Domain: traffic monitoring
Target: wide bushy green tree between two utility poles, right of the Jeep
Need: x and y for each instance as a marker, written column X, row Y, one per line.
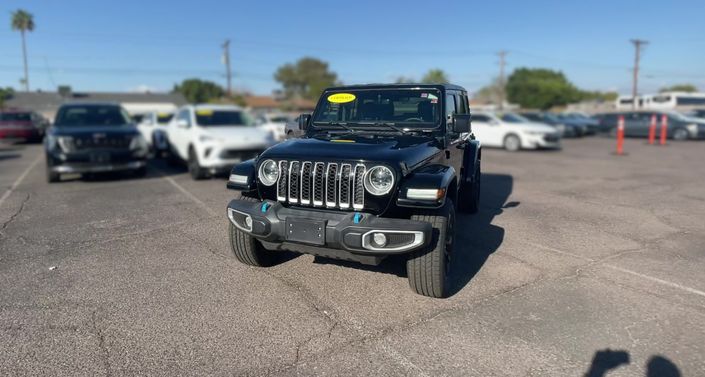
column 540, row 88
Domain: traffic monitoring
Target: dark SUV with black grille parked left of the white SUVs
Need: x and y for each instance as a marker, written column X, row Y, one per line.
column 93, row 138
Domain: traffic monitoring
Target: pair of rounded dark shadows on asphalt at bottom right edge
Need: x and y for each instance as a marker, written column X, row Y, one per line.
column 607, row 360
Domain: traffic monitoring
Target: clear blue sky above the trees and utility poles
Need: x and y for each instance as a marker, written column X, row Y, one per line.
column 124, row 45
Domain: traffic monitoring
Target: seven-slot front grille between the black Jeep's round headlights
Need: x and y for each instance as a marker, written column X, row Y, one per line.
column 319, row 184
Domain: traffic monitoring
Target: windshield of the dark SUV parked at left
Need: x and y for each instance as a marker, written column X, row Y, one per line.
column 91, row 115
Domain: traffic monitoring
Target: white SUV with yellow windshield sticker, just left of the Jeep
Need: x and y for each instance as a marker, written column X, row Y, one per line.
column 212, row 138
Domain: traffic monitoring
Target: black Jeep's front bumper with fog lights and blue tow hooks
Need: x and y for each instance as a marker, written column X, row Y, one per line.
column 347, row 232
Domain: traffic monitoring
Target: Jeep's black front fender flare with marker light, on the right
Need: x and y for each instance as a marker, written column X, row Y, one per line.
column 434, row 180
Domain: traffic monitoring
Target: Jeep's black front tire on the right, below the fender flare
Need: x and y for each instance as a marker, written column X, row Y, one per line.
column 428, row 268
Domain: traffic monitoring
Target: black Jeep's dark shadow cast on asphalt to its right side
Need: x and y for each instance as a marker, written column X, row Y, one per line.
column 476, row 237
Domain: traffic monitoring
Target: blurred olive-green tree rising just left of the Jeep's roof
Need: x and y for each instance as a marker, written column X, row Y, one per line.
column 307, row 78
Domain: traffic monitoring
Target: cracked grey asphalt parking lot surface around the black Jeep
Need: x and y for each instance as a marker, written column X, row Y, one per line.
column 573, row 253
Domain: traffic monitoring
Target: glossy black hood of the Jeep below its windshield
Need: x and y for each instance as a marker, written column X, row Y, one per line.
column 406, row 150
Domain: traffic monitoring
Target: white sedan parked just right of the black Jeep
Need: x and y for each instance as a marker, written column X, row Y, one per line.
column 520, row 133
